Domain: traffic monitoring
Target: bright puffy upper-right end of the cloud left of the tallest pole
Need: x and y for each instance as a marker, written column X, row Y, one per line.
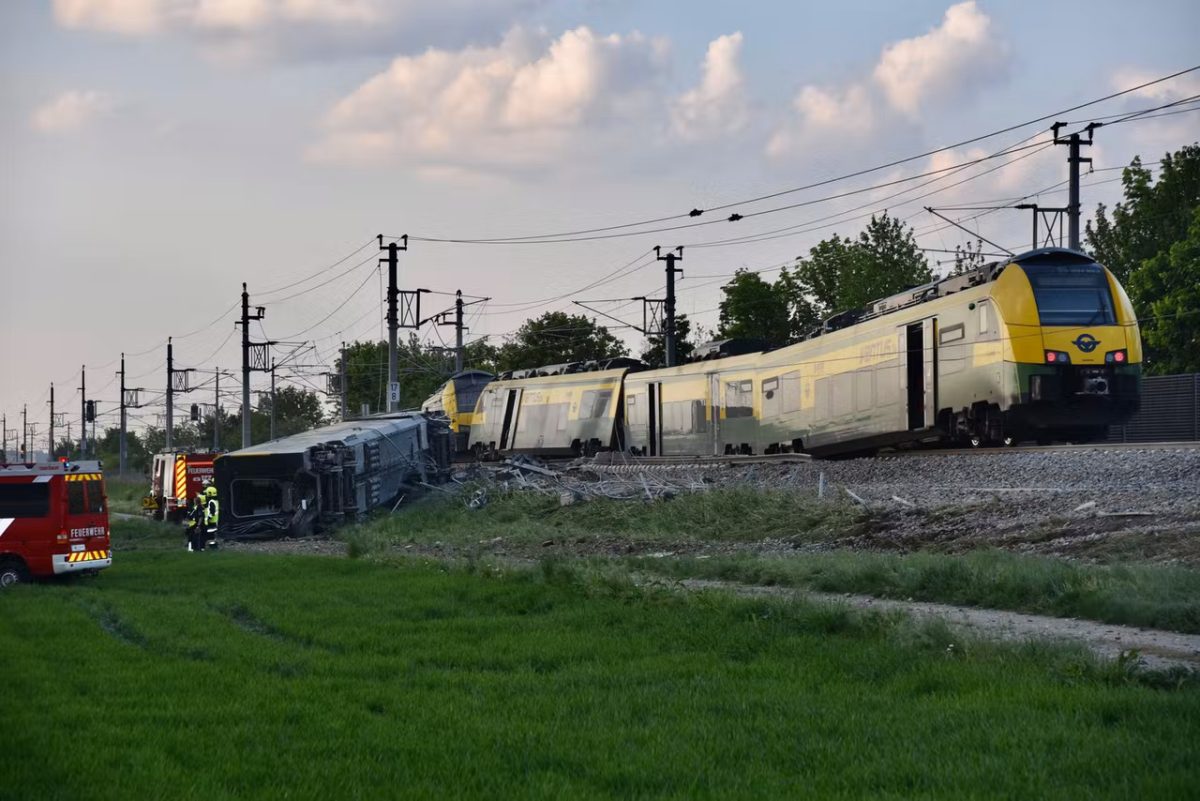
column 943, row 64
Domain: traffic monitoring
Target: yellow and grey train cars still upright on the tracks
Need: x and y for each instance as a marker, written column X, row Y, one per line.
column 1042, row 347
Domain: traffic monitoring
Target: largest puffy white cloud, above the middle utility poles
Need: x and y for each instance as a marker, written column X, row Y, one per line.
column 527, row 101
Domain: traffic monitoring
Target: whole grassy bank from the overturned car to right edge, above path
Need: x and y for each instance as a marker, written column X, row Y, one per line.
column 1131, row 594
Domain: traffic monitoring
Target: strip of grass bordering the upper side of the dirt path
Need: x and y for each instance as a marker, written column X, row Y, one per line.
column 1138, row 595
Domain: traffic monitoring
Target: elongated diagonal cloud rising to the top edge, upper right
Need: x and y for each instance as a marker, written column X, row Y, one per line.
column 937, row 69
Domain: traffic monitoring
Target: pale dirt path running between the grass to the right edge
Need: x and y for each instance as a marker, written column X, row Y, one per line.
column 1157, row 649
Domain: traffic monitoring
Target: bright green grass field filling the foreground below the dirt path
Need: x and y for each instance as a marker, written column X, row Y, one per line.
column 226, row 676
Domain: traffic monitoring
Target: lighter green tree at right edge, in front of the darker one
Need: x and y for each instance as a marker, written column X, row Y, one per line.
column 1169, row 288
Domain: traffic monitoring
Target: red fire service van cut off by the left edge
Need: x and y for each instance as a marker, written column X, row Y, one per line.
column 53, row 521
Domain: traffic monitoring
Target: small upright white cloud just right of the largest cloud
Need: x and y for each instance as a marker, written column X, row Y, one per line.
column 718, row 105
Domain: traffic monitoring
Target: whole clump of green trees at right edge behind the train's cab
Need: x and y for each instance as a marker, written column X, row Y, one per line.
column 1150, row 245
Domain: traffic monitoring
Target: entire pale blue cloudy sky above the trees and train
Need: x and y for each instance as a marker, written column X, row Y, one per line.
column 157, row 154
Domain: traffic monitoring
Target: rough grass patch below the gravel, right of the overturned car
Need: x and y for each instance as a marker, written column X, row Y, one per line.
column 719, row 516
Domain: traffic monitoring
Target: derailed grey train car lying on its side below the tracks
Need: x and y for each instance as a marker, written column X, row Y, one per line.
column 310, row 483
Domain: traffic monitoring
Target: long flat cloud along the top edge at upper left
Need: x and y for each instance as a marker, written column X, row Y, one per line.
column 297, row 29
